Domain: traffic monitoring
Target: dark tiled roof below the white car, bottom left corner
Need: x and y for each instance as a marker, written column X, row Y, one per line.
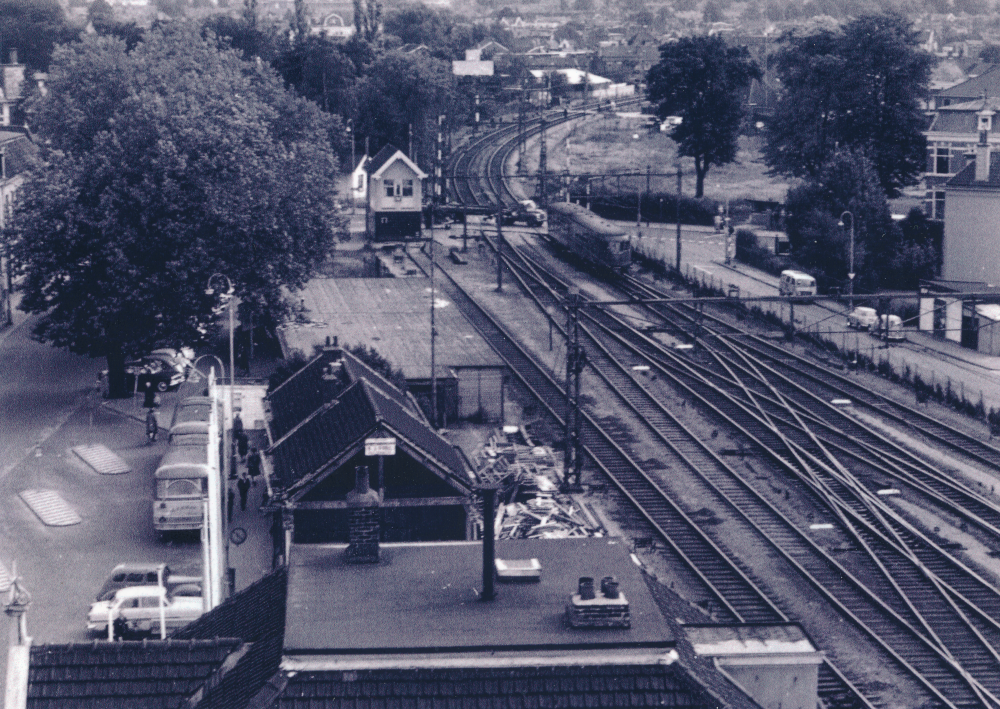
column 153, row 674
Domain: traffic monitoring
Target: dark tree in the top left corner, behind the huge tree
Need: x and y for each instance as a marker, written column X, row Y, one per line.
column 33, row 28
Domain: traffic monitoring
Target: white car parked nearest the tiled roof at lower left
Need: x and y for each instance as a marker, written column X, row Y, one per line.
column 143, row 608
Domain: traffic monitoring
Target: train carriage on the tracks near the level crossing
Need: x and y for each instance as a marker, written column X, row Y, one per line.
column 592, row 238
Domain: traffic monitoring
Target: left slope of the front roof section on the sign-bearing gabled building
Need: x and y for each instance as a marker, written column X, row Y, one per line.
column 328, row 432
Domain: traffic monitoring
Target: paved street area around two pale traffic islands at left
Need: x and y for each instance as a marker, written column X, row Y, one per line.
column 47, row 397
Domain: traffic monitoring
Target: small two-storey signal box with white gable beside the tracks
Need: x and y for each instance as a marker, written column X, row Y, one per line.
column 395, row 196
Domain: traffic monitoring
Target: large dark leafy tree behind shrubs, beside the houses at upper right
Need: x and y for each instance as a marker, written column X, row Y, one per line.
column 857, row 88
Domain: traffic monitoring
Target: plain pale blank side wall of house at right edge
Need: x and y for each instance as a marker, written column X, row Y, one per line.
column 972, row 236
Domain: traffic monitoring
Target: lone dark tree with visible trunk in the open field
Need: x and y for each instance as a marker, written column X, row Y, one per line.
column 700, row 79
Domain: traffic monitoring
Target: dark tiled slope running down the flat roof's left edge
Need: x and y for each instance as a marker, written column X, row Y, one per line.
column 257, row 615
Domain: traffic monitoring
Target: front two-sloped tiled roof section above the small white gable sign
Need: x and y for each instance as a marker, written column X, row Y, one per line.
column 339, row 427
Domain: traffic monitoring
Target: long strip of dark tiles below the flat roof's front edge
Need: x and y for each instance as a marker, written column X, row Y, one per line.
column 493, row 688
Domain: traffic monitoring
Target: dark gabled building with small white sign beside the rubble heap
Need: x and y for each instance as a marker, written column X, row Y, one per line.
column 323, row 420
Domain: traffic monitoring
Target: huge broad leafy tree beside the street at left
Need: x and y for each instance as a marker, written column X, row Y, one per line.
column 162, row 166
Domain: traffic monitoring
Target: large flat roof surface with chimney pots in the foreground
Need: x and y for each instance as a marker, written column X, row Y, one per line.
column 422, row 597
